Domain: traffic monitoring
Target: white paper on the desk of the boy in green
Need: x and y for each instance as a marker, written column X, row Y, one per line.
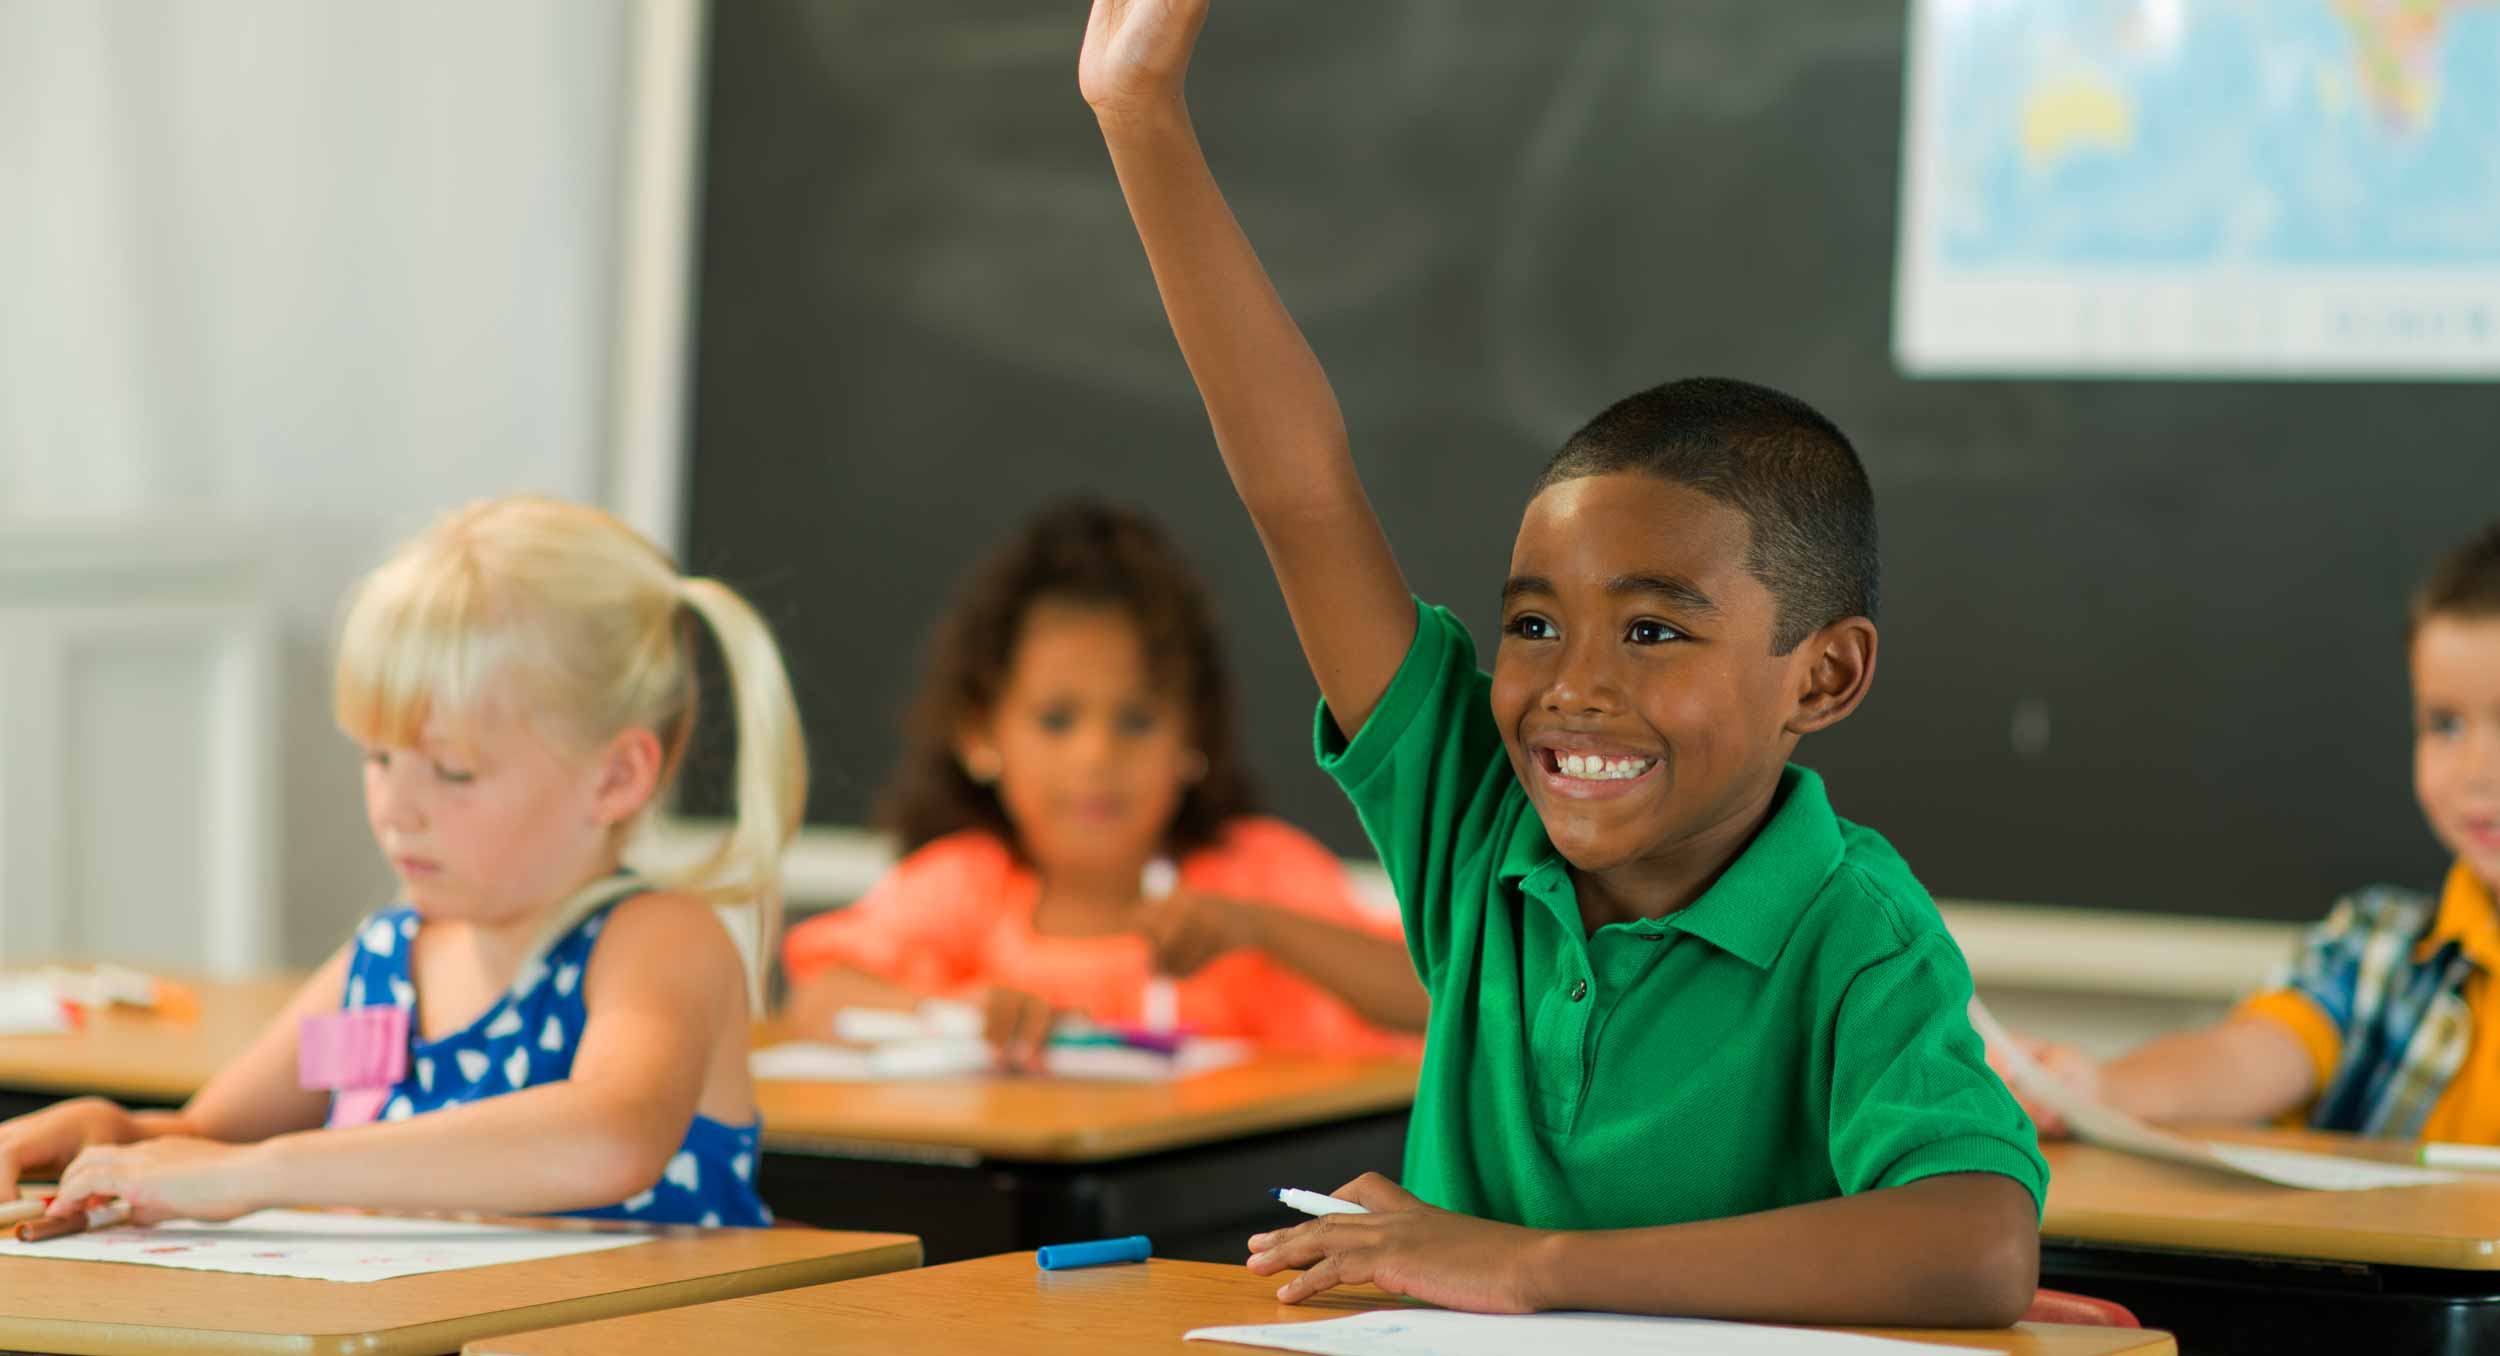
column 1436, row 1332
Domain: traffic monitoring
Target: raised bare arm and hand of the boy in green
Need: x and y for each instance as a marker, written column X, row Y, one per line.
column 1276, row 419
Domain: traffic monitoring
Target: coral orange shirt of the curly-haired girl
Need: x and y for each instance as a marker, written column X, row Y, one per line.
column 959, row 917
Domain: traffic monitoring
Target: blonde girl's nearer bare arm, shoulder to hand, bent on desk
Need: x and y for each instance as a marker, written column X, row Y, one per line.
column 666, row 999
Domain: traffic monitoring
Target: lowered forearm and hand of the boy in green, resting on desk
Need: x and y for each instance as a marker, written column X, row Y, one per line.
column 1951, row 1252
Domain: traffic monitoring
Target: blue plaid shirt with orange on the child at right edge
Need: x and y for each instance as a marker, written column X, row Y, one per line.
column 2394, row 974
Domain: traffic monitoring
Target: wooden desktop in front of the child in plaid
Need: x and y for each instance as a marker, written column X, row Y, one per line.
column 2106, row 1197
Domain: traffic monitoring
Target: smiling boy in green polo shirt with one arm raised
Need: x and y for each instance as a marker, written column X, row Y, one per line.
column 1696, row 1045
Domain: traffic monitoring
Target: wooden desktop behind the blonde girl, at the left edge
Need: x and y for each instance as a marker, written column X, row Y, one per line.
column 139, row 1057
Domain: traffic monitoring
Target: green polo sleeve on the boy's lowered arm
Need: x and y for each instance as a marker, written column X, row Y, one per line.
column 1911, row 1087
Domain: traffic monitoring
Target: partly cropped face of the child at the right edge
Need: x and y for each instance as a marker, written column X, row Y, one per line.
column 2456, row 737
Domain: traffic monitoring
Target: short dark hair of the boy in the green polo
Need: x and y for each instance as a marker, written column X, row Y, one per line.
column 1771, row 459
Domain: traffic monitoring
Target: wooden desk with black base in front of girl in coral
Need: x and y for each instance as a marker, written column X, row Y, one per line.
column 996, row 1162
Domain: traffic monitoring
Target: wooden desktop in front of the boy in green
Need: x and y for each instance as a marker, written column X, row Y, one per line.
column 1006, row 1305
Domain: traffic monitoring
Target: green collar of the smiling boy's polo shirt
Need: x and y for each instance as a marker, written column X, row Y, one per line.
column 1754, row 907
